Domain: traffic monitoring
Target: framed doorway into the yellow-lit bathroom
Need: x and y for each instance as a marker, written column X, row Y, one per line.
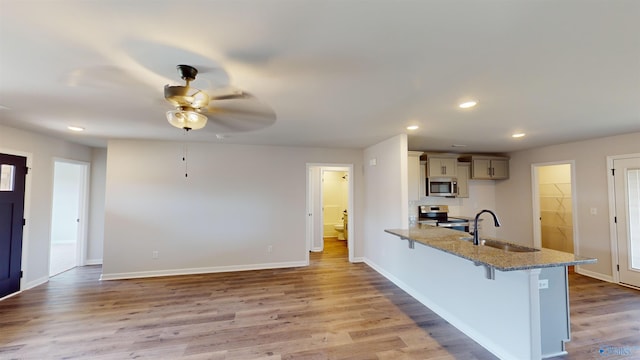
column 326, row 205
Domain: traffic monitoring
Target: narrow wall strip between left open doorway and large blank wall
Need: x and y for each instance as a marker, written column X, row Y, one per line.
column 98, row 179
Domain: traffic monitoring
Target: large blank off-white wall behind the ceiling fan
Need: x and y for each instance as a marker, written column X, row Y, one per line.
column 236, row 202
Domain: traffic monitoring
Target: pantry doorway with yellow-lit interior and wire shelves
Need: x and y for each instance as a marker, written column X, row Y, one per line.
column 554, row 206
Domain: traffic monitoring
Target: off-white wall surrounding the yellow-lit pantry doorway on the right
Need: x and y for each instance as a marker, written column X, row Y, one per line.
column 514, row 196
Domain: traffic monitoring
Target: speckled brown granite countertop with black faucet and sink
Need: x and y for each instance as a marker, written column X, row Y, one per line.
column 449, row 241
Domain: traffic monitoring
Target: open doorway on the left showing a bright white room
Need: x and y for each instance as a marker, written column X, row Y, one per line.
column 68, row 230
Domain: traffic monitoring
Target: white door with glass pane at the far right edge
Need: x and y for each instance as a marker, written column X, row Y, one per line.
column 627, row 213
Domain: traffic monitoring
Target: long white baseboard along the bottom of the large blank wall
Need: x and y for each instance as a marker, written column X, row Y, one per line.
column 207, row 270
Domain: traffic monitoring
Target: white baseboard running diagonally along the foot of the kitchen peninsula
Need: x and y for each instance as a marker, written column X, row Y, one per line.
column 446, row 315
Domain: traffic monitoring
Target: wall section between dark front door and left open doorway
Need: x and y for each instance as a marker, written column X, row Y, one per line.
column 40, row 150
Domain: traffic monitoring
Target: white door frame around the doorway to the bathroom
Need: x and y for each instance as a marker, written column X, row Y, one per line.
column 314, row 202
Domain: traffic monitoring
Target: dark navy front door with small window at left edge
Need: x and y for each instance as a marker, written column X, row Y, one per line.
column 13, row 170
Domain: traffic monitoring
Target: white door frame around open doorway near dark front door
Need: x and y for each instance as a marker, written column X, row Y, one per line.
column 83, row 208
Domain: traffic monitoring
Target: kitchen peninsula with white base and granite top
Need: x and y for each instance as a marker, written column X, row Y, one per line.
column 514, row 303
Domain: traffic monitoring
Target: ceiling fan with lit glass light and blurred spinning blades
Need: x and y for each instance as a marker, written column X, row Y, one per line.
column 232, row 111
